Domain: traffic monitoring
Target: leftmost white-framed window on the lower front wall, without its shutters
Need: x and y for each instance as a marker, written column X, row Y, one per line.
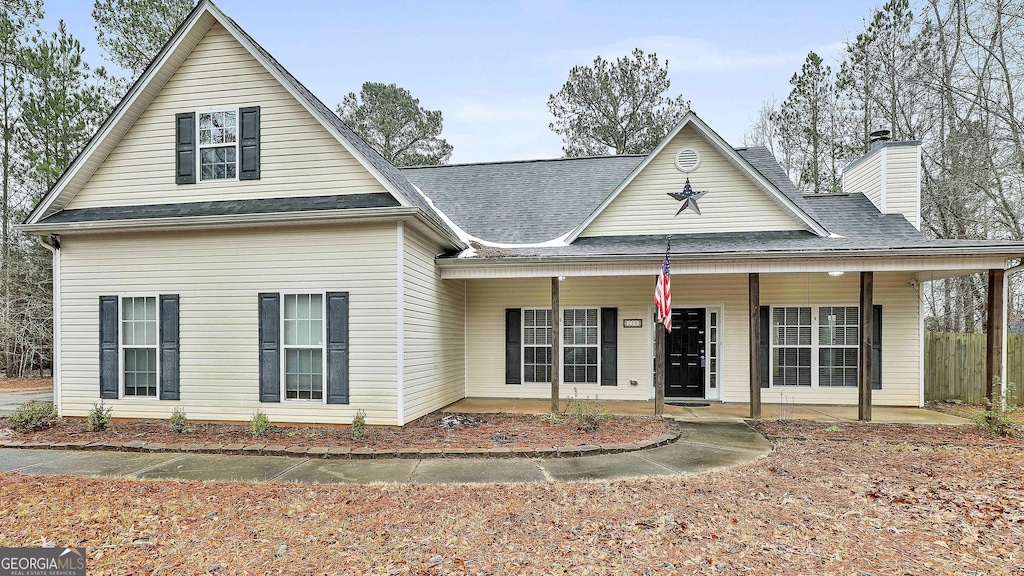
column 139, row 346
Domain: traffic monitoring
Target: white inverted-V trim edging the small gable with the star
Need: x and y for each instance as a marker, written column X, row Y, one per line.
column 730, row 154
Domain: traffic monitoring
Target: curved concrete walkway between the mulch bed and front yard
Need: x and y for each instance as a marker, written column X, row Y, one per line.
column 703, row 447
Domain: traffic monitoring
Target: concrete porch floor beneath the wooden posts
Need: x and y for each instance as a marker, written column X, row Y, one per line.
column 883, row 415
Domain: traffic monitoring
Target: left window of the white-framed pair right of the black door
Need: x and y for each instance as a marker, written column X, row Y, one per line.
column 792, row 347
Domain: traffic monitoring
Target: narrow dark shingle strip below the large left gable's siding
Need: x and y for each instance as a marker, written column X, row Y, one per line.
column 225, row 208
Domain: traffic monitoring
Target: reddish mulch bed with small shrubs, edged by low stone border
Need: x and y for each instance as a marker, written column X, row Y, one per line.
column 476, row 432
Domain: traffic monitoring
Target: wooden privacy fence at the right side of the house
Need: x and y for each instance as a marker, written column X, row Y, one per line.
column 955, row 367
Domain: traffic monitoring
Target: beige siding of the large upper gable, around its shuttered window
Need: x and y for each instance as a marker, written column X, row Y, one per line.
column 298, row 156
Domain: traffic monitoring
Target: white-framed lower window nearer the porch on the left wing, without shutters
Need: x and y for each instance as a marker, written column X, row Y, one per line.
column 304, row 347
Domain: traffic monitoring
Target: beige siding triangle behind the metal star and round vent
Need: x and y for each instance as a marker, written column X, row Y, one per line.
column 734, row 202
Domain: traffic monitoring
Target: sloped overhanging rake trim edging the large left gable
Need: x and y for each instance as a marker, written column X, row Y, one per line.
column 149, row 88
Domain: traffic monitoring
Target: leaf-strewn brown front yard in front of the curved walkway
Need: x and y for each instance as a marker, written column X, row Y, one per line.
column 864, row 500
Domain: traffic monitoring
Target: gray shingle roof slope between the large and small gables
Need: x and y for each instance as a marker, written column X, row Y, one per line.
column 525, row 202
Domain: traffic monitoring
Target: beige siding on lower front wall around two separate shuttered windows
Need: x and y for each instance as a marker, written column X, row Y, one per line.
column 219, row 276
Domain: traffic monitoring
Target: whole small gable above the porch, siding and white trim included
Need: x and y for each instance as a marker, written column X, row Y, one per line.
column 740, row 198
